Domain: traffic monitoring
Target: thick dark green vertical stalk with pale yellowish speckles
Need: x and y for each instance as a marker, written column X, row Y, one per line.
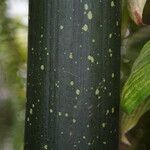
column 73, row 75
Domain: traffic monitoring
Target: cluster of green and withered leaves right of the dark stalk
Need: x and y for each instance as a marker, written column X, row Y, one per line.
column 135, row 74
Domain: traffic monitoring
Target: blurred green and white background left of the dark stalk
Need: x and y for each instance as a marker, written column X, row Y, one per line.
column 13, row 54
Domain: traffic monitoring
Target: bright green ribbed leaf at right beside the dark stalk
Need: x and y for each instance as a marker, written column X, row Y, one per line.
column 137, row 87
